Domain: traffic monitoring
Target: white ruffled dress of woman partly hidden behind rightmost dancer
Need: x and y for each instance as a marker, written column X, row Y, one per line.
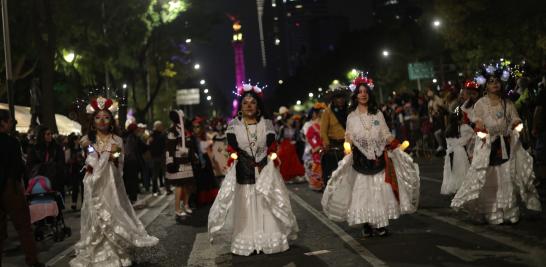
column 454, row 173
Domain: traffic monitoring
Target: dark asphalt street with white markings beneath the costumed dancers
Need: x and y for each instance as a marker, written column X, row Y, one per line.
column 434, row 236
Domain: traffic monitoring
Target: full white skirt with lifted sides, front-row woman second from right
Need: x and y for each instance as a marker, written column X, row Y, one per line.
column 357, row 198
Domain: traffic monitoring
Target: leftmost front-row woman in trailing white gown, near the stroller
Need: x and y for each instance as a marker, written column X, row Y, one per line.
column 109, row 225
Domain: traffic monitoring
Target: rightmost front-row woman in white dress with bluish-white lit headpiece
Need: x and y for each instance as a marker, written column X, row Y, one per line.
column 500, row 166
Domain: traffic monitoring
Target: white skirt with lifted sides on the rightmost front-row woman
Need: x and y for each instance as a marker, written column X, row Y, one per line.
column 492, row 190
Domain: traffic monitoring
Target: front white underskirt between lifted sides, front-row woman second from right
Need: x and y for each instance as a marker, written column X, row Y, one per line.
column 372, row 201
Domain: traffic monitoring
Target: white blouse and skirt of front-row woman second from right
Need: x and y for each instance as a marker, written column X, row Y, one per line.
column 358, row 198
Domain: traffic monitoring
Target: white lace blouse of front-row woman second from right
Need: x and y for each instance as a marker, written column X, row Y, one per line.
column 368, row 132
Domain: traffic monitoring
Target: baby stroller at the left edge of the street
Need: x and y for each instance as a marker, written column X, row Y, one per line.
column 46, row 207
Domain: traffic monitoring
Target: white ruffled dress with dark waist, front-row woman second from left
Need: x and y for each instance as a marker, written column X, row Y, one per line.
column 253, row 217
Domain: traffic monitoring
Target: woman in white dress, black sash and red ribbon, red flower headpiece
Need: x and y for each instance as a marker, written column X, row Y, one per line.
column 376, row 181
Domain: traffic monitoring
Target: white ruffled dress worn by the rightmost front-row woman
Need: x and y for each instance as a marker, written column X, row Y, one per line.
column 493, row 191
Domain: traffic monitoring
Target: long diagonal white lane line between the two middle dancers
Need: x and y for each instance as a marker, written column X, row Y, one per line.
column 361, row 250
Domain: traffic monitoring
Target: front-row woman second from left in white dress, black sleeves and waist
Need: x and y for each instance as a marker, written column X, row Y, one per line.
column 252, row 211
